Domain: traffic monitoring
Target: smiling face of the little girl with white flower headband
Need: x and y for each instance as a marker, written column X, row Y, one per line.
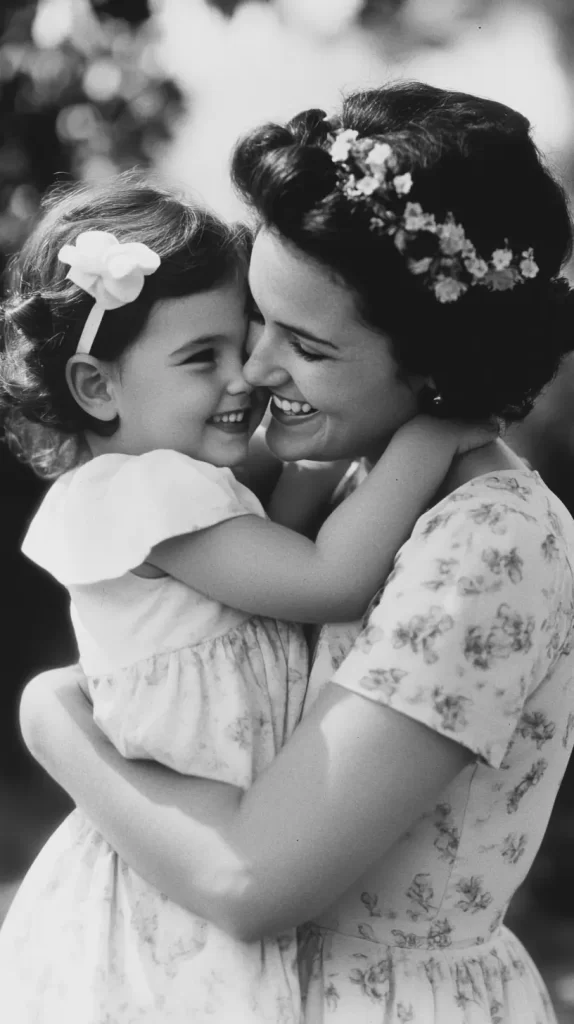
column 182, row 386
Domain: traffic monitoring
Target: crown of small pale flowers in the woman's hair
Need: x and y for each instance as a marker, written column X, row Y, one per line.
column 439, row 253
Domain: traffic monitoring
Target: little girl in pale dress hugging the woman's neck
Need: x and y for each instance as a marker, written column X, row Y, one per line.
column 139, row 404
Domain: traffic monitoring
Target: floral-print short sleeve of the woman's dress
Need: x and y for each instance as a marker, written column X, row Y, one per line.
column 458, row 638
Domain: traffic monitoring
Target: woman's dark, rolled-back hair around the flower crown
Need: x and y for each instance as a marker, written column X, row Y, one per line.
column 490, row 354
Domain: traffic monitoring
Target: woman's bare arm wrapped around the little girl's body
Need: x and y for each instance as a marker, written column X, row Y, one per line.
column 349, row 783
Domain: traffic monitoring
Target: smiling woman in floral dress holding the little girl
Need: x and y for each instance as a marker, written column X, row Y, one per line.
column 409, row 258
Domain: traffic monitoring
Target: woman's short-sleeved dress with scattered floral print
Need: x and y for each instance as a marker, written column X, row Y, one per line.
column 472, row 636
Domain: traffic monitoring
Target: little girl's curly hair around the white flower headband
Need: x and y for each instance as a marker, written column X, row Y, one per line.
column 45, row 315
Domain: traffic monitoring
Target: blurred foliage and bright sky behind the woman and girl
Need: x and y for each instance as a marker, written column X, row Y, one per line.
column 90, row 88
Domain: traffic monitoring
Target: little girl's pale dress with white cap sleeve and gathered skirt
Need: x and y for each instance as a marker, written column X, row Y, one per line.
column 176, row 678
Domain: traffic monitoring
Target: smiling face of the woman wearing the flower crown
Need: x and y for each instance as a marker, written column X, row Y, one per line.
column 337, row 391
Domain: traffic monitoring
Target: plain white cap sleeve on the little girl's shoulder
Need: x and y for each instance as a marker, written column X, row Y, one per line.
column 104, row 519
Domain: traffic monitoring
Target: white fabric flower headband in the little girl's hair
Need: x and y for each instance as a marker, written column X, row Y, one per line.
column 110, row 271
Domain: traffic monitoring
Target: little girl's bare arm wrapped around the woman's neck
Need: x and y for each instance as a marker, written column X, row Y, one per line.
column 260, row 568
